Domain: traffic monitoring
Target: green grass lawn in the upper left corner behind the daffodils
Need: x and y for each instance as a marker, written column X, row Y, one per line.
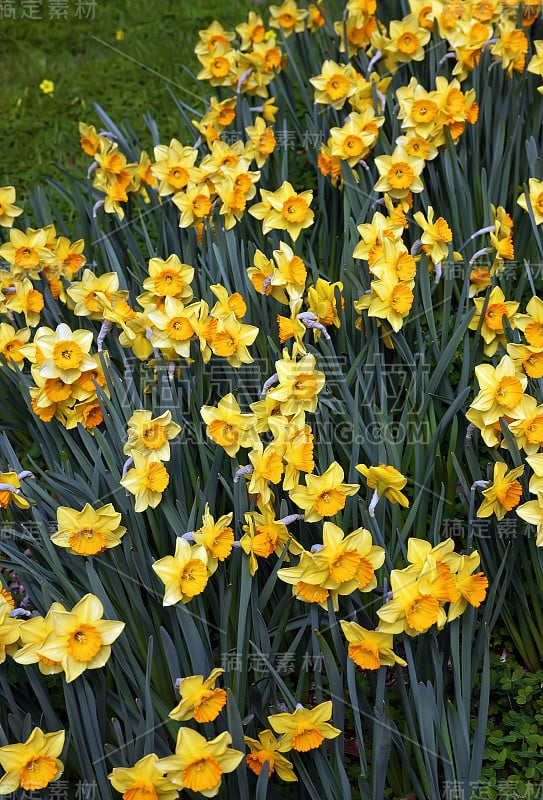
column 87, row 64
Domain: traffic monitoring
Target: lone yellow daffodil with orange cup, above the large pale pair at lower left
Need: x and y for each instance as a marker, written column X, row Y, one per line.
column 88, row 532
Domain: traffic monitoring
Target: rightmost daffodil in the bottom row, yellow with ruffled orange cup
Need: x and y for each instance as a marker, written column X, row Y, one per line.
column 305, row 728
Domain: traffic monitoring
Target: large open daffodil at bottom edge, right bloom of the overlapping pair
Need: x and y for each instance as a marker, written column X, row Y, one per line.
column 198, row 765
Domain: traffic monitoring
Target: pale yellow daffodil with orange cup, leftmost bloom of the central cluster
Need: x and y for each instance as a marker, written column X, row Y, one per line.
column 228, row 427
